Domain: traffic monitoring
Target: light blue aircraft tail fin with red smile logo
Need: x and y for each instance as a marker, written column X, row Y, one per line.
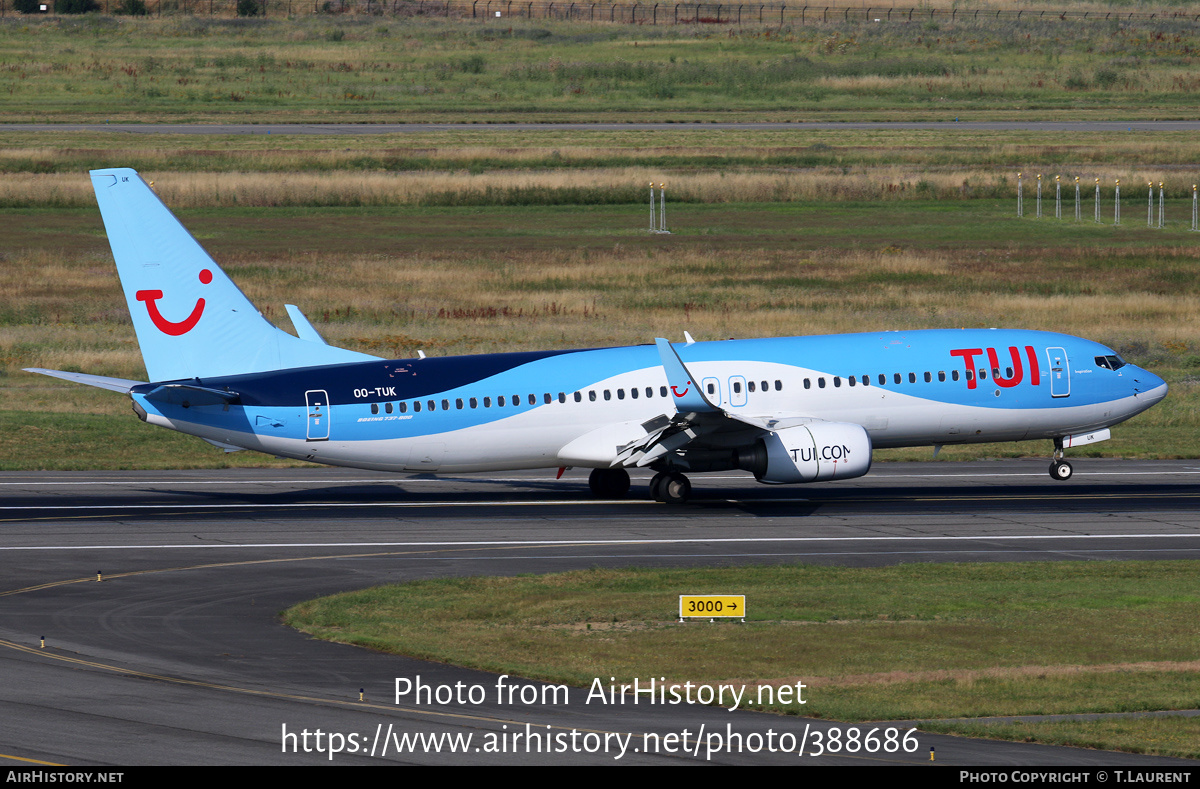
column 190, row 318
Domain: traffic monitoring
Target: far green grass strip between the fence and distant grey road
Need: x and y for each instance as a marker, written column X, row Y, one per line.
column 197, row 69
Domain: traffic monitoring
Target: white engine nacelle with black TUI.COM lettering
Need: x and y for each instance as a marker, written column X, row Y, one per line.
column 813, row 453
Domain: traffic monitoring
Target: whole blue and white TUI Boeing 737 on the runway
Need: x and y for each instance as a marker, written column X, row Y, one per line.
column 789, row 409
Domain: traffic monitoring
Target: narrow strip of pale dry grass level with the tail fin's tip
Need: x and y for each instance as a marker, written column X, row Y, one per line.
column 597, row 186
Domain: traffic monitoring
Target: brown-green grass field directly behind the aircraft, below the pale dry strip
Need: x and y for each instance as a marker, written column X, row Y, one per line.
column 394, row 281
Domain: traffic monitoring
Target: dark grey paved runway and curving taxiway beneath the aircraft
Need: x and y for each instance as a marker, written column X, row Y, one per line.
column 178, row 658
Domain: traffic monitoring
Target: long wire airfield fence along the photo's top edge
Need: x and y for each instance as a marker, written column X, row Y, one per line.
column 641, row 14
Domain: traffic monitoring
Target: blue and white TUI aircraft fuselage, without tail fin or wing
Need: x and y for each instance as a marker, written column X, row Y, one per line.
column 520, row 411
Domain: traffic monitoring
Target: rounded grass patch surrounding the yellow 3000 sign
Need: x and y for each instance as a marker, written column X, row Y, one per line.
column 872, row 645
